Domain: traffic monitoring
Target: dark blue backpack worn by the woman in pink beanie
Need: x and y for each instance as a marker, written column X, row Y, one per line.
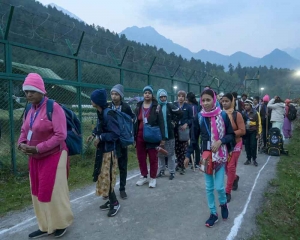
column 74, row 137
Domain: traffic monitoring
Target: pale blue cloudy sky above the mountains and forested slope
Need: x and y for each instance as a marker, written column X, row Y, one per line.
column 256, row 27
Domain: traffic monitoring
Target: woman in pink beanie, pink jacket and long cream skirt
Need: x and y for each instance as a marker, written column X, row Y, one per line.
column 44, row 143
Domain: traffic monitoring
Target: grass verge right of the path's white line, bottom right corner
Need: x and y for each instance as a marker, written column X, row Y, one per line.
column 280, row 215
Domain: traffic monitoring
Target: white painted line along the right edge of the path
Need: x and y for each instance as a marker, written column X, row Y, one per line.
column 239, row 219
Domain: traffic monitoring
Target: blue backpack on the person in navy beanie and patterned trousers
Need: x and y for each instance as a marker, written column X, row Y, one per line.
column 126, row 127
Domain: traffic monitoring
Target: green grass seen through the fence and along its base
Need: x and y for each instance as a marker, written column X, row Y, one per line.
column 15, row 190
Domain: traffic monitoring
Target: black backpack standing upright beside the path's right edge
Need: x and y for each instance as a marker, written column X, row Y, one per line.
column 274, row 142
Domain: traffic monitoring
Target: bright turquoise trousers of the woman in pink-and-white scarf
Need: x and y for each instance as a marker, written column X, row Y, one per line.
column 217, row 183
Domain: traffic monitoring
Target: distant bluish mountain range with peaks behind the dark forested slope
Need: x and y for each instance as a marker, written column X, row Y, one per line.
column 277, row 58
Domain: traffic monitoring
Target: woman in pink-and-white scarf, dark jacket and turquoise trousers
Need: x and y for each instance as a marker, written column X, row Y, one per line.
column 217, row 137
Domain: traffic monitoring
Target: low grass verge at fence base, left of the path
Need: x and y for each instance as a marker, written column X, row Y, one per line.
column 15, row 190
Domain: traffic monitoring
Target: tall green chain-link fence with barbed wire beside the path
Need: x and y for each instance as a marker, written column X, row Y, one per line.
column 73, row 63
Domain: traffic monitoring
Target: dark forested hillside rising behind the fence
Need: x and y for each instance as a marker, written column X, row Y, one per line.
column 47, row 28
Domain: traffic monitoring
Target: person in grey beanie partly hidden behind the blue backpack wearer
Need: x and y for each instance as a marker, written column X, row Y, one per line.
column 117, row 104
